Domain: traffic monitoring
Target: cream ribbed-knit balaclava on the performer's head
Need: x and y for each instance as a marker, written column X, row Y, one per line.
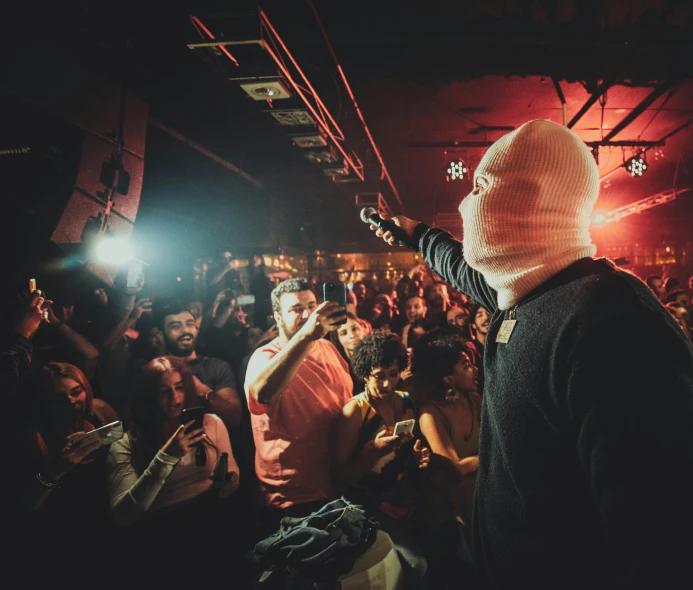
column 528, row 216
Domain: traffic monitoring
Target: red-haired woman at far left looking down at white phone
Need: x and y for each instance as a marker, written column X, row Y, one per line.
column 53, row 477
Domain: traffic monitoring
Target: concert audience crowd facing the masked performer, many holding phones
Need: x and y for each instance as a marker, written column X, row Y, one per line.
column 302, row 411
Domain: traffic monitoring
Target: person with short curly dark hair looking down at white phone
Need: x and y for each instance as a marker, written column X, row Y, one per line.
column 378, row 467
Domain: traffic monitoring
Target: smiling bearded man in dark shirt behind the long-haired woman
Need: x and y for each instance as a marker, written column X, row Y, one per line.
column 217, row 382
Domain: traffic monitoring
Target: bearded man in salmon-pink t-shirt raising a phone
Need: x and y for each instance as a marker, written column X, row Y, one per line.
column 296, row 386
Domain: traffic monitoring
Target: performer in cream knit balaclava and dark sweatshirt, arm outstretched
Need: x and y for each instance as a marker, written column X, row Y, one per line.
column 586, row 450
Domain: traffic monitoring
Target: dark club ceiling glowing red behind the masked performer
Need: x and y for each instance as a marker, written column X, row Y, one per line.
column 435, row 81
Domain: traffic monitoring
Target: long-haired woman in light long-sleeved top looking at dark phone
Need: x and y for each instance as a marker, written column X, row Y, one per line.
column 161, row 463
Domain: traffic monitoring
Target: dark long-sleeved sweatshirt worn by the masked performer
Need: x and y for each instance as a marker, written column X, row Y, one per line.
column 586, row 449
